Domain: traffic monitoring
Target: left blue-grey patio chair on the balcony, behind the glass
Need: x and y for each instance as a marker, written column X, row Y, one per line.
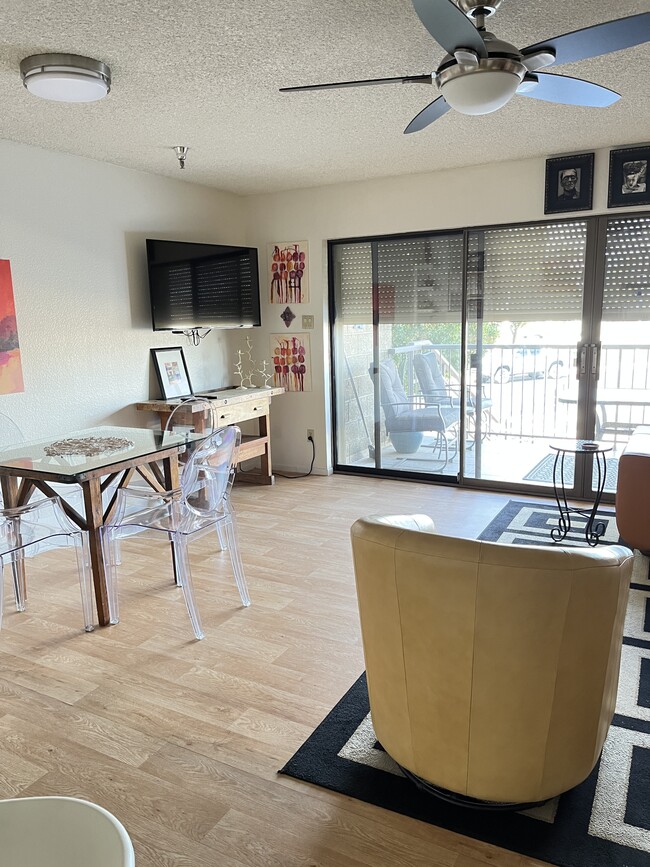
column 405, row 417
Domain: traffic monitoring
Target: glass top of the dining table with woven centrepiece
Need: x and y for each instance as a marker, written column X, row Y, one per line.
column 67, row 455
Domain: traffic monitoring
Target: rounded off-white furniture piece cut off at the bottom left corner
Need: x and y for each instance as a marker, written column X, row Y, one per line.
column 61, row 832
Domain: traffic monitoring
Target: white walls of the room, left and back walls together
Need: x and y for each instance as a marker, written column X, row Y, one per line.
column 74, row 232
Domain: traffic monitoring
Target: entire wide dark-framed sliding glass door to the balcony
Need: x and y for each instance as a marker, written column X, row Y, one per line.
column 468, row 355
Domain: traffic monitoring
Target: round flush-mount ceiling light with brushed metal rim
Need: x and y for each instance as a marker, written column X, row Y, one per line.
column 66, row 77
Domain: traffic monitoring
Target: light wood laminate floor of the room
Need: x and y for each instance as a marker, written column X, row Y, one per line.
column 182, row 739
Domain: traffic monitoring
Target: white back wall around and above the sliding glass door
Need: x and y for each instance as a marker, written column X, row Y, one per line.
column 508, row 192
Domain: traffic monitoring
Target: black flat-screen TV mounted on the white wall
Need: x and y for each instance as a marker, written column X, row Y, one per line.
column 202, row 285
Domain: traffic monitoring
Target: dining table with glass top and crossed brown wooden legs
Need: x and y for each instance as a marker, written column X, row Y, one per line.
column 85, row 458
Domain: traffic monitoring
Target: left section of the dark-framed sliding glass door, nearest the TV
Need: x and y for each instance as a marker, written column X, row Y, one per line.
column 397, row 326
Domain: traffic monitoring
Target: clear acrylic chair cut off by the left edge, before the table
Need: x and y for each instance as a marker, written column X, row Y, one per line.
column 29, row 529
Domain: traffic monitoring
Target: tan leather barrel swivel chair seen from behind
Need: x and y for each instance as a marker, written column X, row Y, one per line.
column 492, row 669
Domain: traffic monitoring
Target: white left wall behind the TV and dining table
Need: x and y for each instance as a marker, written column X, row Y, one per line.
column 74, row 232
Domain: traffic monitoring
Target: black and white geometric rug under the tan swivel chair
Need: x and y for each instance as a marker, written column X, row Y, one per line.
column 604, row 822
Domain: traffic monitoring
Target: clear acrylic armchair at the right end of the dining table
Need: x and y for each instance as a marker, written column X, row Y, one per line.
column 201, row 503
